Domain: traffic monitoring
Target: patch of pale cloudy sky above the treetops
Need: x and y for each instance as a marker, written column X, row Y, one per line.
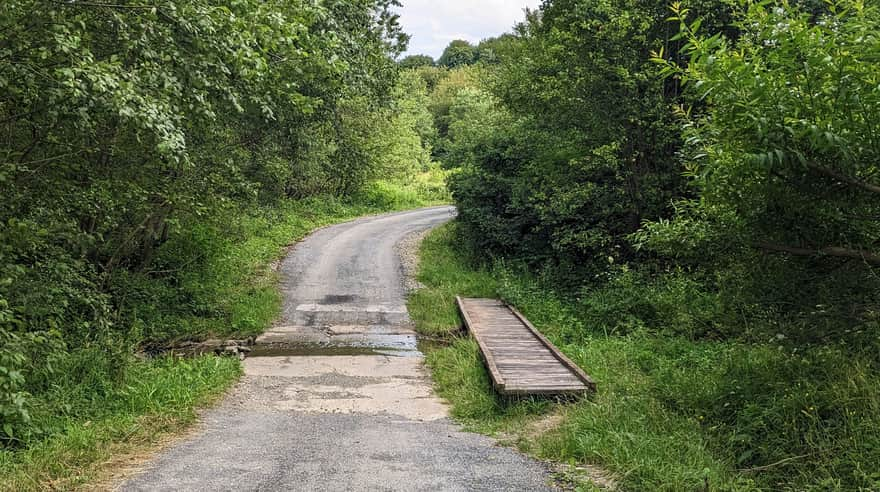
column 434, row 23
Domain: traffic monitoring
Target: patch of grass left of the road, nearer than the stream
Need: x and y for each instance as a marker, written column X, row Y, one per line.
column 153, row 399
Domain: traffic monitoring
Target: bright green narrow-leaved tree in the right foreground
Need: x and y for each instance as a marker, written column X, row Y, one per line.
column 781, row 150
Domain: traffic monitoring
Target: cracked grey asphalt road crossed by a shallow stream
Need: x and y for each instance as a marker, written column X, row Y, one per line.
column 337, row 397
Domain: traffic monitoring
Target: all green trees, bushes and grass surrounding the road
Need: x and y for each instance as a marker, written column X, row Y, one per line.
column 684, row 197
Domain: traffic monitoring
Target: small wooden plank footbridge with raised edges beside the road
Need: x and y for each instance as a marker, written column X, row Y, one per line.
column 520, row 360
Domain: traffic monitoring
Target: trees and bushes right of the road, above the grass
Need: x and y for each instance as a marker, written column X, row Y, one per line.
column 761, row 196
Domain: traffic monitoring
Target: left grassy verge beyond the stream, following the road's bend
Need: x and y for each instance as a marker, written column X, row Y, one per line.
column 214, row 281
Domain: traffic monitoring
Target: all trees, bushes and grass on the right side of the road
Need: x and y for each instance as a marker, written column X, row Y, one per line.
column 688, row 209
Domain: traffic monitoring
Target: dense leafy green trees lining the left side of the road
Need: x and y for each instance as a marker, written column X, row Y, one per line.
column 125, row 127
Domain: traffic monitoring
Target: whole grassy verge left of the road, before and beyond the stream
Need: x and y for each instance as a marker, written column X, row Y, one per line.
column 99, row 405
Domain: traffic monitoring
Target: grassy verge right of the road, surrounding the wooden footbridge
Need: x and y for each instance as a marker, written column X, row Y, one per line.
column 671, row 413
